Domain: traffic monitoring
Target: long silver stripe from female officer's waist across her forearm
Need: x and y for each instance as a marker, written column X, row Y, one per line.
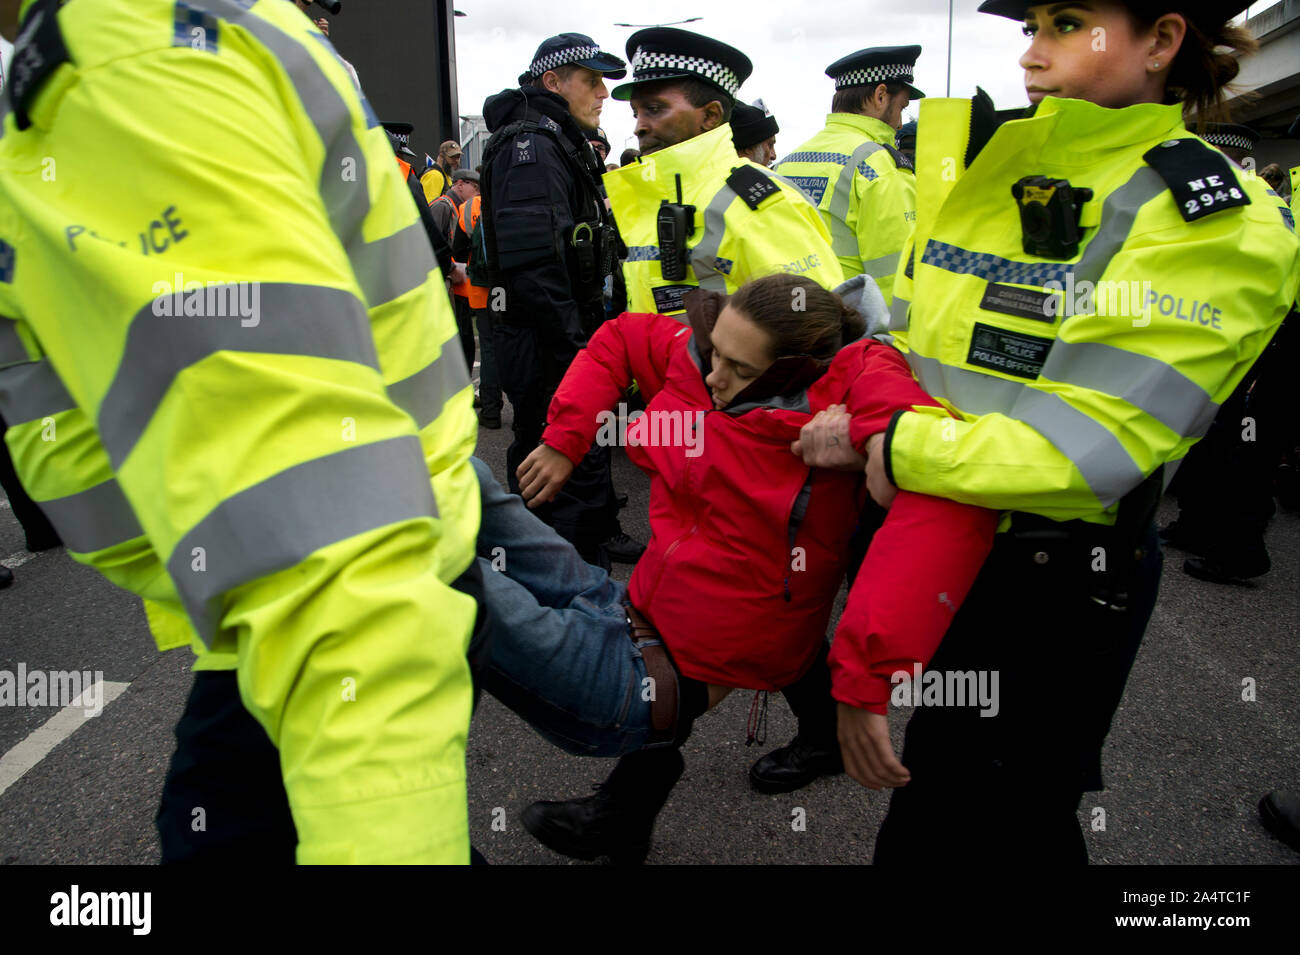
column 1097, row 453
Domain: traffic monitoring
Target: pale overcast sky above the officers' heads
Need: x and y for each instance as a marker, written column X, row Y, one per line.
column 791, row 45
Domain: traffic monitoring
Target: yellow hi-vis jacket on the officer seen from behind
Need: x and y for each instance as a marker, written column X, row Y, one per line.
column 868, row 201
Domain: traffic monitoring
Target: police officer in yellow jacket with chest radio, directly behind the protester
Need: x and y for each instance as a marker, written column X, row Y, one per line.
column 690, row 211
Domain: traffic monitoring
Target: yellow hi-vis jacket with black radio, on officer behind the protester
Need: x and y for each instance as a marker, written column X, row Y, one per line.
column 736, row 238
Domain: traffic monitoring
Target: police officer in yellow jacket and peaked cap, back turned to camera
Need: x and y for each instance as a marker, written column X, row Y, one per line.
column 861, row 184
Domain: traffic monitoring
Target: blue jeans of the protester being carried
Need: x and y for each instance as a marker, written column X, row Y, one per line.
column 558, row 653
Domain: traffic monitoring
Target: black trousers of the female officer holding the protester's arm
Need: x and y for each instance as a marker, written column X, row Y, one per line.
column 1007, row 788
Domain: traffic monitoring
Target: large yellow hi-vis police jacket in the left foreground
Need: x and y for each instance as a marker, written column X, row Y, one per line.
column 235, row 385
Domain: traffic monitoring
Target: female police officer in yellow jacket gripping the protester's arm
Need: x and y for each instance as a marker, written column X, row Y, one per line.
column 1085, row 286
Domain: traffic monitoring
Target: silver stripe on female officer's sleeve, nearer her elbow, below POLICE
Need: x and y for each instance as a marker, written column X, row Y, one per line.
column 1160, row 390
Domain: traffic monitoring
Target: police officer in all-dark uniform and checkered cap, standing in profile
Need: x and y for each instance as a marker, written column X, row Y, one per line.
column 549, row 248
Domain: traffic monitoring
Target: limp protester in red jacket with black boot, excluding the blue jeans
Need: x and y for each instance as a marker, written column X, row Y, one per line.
column 749, row 545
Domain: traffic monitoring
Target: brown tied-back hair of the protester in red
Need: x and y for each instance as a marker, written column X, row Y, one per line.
column 816, row 323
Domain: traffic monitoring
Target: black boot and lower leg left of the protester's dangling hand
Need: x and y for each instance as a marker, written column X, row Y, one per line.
column 816, row 750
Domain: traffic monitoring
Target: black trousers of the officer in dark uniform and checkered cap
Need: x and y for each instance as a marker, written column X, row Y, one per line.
column 531, row 370
